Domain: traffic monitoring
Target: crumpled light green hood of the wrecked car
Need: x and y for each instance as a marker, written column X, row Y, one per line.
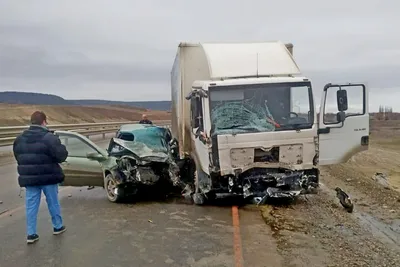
column 143, row 152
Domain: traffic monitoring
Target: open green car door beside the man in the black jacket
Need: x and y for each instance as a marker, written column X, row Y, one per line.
column 80, row 170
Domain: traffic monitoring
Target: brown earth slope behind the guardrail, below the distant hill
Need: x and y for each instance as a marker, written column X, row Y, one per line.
column 13, row 115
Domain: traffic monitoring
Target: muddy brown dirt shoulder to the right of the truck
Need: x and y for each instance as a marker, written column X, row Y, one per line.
column 317, row 231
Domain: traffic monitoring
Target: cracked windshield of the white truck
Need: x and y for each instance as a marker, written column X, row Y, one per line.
column 261, row 107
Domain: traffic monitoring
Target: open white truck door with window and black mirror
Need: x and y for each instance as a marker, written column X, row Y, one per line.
column 343, row 122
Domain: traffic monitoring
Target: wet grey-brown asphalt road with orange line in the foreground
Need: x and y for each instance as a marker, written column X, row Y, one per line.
column 150, row 233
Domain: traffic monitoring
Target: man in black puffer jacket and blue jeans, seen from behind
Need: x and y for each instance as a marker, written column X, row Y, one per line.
column 38, row 152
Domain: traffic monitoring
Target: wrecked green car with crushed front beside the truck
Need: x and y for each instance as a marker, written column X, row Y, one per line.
column 139, row 156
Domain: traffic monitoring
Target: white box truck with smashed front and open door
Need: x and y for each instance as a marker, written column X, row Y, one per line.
column 246, row 123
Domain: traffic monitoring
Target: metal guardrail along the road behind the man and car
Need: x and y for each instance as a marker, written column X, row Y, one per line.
column 9, row 133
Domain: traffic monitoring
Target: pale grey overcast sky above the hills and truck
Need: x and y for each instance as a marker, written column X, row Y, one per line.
column 124, row 49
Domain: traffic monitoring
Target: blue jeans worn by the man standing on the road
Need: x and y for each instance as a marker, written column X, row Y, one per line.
column 32, row 203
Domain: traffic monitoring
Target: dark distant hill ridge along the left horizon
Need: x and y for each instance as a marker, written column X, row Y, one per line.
column 48, row 99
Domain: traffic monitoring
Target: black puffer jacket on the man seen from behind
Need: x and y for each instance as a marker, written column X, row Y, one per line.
column 38, row 153
